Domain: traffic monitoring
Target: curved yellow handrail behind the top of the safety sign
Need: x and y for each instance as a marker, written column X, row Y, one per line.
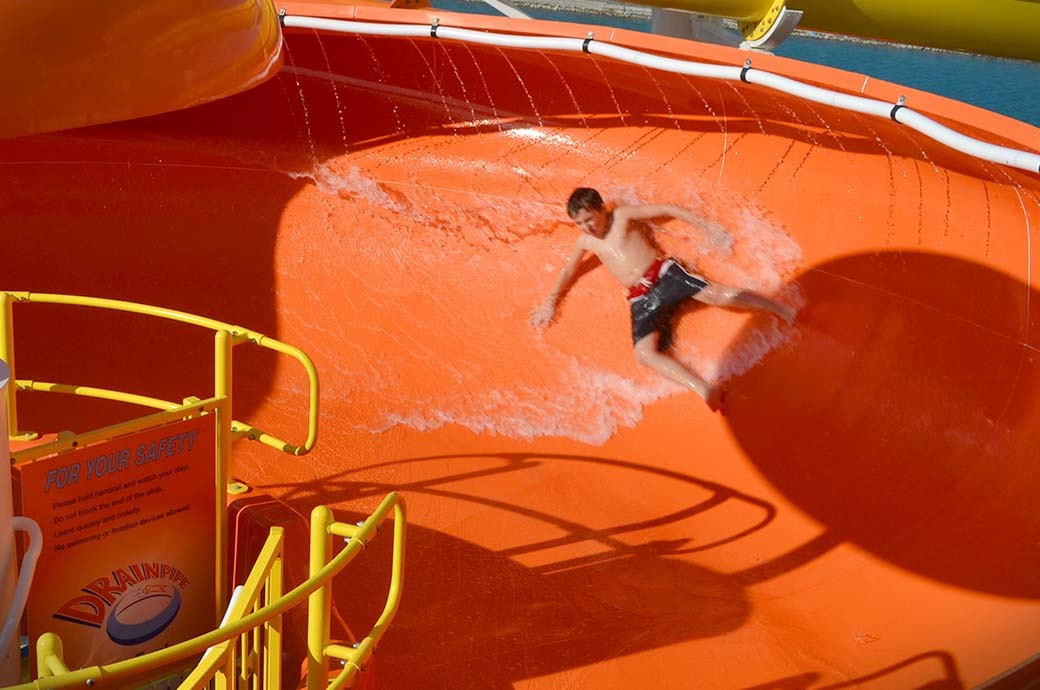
column 232, row 336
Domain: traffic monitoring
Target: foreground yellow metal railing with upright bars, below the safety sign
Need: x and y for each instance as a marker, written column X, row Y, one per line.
column 254, row 667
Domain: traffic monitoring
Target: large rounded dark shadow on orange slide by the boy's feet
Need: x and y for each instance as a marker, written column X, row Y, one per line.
column 903, row 417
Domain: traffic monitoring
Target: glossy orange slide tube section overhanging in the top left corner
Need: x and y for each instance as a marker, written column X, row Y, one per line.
column 74, row 65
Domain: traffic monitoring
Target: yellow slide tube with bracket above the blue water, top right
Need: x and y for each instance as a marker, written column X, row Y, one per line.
column 1006, row 29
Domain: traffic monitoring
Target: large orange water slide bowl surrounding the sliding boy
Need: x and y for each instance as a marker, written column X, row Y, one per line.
column 863, row 518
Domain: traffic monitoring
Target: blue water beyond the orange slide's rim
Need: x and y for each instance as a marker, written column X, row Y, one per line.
column 1011, row 88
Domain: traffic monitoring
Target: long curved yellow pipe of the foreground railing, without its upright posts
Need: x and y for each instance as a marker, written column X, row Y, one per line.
column 98, row 677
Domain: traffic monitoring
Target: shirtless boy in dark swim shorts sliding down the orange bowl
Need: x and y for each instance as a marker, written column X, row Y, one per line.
column 656, row 285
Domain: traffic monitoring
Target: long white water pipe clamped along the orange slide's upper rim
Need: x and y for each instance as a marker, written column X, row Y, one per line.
column 992, row 152
